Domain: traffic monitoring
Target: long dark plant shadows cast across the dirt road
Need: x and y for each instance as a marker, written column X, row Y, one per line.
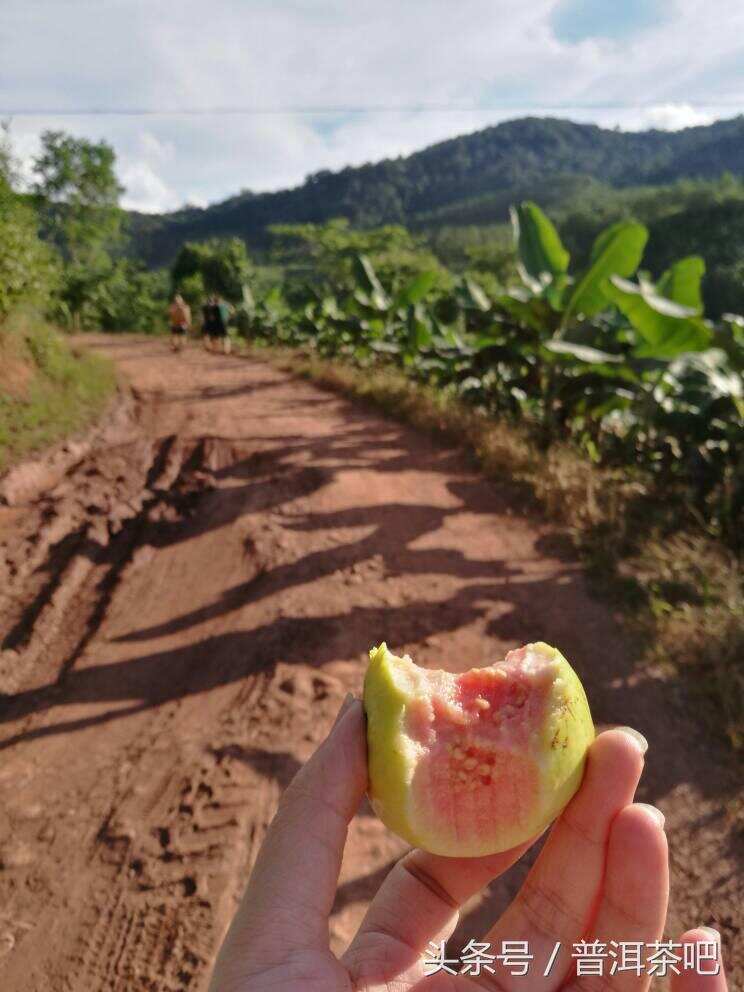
column 552, row 605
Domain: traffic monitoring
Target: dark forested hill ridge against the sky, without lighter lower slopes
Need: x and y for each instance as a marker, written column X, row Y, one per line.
column 508, row 162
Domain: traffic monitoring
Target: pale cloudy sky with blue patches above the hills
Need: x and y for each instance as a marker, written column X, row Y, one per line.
column 203, row 100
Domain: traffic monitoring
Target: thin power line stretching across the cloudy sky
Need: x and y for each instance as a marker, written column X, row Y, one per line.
column 422, row 108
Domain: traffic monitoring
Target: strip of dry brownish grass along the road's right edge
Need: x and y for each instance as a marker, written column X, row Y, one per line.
column 680, row 590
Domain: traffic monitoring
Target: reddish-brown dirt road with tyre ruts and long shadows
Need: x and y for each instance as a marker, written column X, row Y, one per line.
column 186, row 598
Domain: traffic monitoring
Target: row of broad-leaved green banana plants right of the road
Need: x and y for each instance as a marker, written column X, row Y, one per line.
column 628, row 367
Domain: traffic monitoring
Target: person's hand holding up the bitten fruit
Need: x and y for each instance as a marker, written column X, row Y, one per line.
column 602, row 874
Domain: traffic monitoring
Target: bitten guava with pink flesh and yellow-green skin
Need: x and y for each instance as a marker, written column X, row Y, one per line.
column 475, row 763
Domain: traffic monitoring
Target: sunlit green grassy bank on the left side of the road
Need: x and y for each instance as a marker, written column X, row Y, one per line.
column 48, row 389
